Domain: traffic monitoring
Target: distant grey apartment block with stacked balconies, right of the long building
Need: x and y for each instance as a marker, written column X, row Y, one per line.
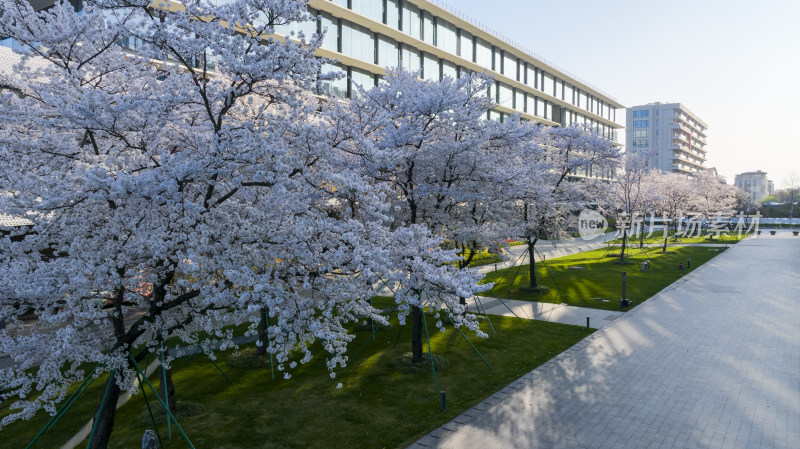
column 673, row 135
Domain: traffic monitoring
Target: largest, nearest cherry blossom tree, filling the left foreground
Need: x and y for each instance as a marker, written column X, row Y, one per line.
column 186, row 186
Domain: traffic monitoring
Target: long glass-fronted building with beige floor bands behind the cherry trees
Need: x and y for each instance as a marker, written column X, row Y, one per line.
column 366, row 36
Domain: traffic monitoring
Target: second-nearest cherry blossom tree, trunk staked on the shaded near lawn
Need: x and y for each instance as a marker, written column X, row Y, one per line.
column 427, row 144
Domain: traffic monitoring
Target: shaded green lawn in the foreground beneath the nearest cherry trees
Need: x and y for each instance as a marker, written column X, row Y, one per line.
column 379, row 405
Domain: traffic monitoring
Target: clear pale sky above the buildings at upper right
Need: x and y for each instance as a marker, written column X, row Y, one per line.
column 735, row 64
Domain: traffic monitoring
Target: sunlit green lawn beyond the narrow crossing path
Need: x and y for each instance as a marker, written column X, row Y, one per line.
column 585, row 276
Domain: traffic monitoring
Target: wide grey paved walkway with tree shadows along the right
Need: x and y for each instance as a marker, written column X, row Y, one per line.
column 713, row 361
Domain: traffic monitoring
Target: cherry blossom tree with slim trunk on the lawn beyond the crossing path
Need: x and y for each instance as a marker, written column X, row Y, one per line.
column 553, row 188
